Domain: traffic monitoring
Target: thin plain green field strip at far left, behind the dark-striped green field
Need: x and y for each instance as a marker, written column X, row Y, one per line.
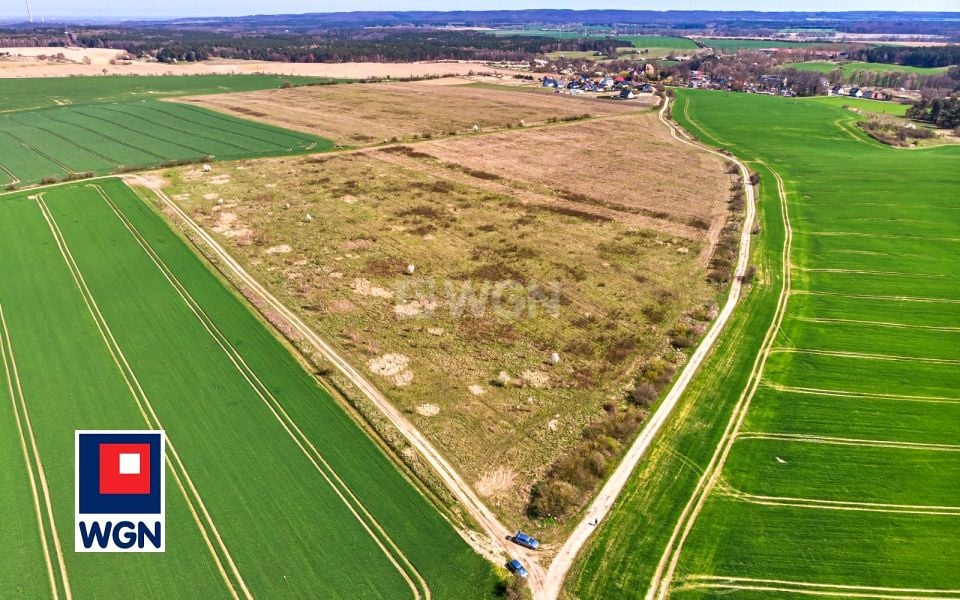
column 27, row 94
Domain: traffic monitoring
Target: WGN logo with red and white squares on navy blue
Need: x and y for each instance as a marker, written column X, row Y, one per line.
column 119, row 491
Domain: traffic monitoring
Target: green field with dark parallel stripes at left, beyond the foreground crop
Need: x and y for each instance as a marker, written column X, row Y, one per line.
column 109, row 137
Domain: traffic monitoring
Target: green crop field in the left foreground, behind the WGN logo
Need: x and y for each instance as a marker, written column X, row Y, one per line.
column 108, row 320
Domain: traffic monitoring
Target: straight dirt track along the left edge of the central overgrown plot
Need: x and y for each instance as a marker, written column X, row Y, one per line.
column 496, row 531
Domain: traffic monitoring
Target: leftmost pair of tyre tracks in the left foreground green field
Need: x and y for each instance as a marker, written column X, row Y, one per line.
column 43, row 510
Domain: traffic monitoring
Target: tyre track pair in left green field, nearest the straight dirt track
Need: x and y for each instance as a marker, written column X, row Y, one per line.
column 367, row 521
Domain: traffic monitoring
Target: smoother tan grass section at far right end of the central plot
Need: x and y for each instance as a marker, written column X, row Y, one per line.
column 627, row 163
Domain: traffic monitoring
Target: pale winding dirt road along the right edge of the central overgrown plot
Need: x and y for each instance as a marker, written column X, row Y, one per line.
column 607, row 496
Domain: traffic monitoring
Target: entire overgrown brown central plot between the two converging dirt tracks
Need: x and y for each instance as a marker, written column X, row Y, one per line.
column 610, row 275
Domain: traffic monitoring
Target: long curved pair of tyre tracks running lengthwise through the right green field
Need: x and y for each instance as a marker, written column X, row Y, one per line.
column 663, row 576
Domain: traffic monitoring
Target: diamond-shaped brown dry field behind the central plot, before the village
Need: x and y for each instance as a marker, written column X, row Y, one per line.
column 363, row 114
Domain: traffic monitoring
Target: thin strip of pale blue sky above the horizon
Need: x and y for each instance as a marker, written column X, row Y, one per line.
column 172, row 8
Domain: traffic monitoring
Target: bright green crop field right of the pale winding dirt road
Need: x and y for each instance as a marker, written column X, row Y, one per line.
column 845, row 469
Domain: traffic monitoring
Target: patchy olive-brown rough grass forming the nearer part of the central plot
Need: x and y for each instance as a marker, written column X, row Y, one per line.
column 495, row 398
